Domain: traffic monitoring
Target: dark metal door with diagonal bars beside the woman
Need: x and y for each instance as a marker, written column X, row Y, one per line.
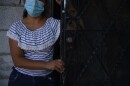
column 95, row 42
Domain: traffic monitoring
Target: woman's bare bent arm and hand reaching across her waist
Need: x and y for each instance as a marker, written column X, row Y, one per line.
column 20, row 61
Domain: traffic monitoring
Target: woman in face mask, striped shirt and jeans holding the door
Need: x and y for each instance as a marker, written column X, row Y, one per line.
column 31, row 43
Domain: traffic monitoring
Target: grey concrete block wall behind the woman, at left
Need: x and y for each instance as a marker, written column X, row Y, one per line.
column 10, row 11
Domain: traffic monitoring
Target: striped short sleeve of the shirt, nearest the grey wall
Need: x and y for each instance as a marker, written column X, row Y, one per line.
column 12, row 32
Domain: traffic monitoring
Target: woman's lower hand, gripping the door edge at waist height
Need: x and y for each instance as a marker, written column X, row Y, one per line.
column 57, row 65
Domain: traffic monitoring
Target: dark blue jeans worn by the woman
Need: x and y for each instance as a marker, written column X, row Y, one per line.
column 18, row 79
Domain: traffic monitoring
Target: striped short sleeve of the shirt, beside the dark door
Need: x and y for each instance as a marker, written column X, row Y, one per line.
column 55, row 23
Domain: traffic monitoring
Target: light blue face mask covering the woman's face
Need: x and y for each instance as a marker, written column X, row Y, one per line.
column 34, row 7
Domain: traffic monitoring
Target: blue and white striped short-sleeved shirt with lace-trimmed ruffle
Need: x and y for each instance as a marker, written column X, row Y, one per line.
column 37, row 44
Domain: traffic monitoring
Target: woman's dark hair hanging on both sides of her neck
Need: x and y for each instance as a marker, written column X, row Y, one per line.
column 45, row 13
